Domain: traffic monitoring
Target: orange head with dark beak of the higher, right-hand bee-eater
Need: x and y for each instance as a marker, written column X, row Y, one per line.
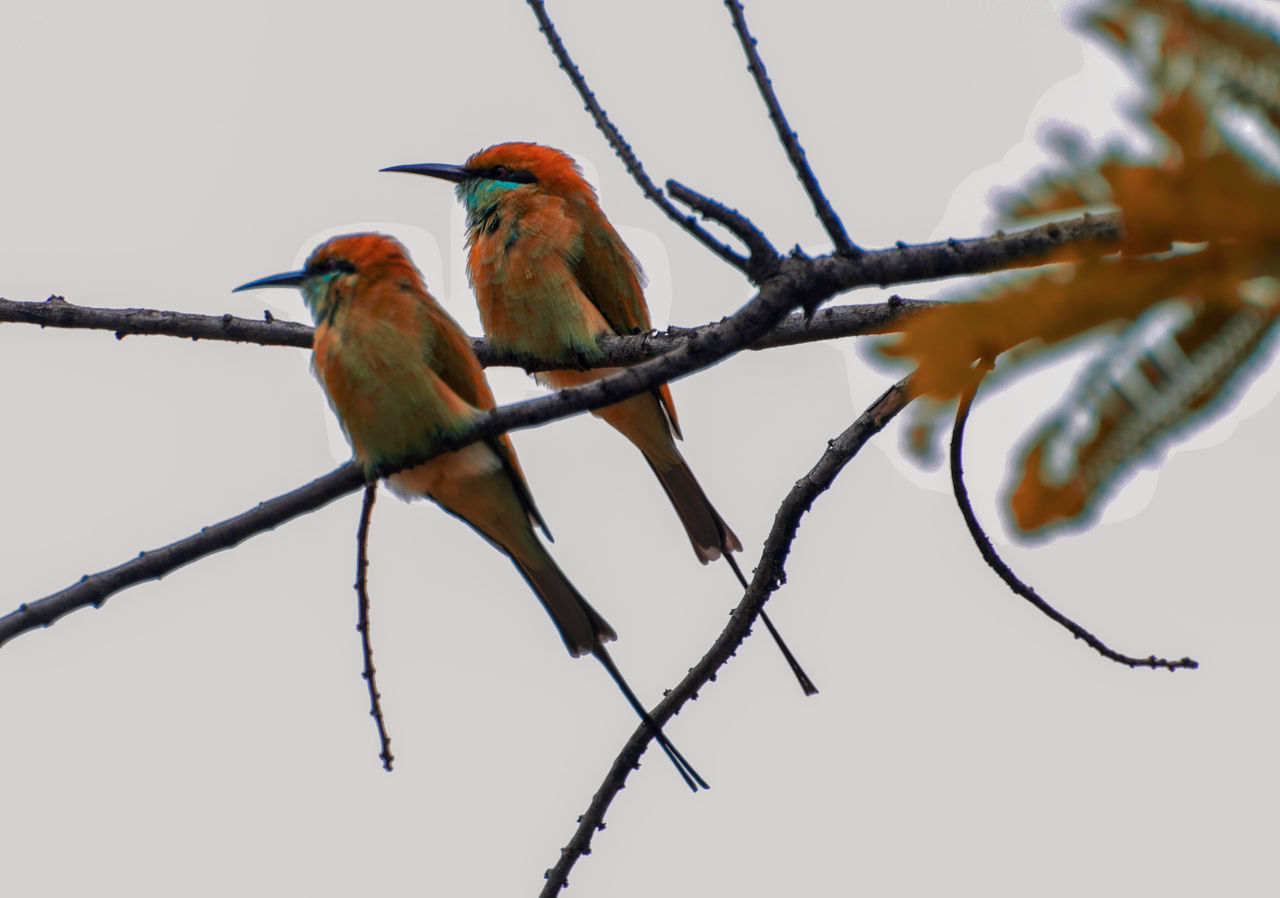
column 505, row 169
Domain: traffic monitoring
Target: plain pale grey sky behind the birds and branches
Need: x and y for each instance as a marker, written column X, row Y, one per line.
column 209, row 735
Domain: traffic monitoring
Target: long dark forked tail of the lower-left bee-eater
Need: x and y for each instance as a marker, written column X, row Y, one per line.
column 586, row 633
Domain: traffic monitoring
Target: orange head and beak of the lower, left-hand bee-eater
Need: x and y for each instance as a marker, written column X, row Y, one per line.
column 339, row 267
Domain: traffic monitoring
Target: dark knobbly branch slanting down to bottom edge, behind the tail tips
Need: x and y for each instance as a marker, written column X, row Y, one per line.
column 770, row 576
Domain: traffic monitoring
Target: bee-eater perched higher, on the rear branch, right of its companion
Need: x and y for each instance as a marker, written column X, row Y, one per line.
column 551, row 274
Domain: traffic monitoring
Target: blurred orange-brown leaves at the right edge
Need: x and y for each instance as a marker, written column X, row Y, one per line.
column 1178, row 311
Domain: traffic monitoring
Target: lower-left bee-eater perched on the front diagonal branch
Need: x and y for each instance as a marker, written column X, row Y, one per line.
column 401, row 375
